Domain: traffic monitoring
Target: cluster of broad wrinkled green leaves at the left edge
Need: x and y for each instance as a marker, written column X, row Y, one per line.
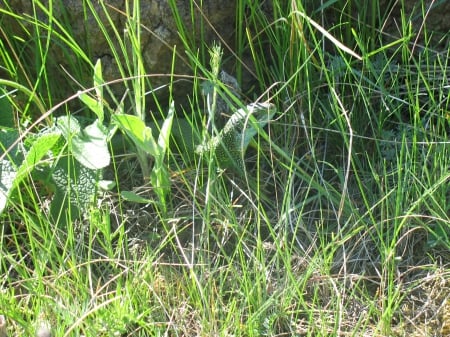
column 73, row 173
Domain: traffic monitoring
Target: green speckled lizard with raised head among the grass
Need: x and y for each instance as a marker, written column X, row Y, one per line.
column 229, row 143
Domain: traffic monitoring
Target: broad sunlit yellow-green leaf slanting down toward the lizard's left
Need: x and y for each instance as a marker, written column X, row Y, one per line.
column 139, row 133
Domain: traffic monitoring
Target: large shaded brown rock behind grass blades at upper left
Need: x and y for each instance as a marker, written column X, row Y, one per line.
column 214, row 21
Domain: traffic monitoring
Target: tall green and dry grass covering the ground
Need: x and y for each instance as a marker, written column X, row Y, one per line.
column 346, row 233
